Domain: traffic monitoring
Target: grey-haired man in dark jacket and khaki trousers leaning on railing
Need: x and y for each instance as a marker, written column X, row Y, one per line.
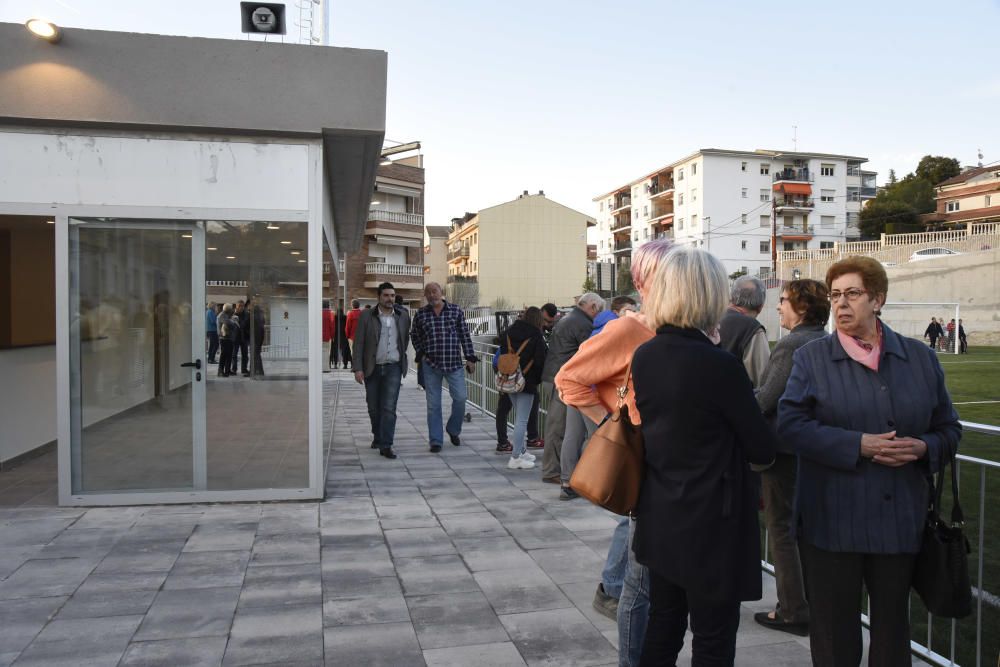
column 567, row 336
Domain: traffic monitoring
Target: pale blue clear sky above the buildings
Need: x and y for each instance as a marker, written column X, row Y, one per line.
column 579, row 97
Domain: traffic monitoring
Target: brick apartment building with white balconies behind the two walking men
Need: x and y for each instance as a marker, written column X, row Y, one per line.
column 392, row 248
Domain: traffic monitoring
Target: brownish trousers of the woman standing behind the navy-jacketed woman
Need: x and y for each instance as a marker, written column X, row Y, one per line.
column 778, row 489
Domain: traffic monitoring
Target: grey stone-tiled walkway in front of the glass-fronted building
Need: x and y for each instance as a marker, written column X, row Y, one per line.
column 446, row 559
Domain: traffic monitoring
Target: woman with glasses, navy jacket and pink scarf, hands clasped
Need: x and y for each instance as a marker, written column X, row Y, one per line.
column 869, row 416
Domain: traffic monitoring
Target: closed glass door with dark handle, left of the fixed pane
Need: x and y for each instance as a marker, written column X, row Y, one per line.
column 137, row 356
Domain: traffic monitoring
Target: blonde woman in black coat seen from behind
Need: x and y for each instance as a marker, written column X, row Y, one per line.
column 696, row 522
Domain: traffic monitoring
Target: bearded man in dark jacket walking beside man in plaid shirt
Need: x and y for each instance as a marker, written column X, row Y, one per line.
column 379, row 362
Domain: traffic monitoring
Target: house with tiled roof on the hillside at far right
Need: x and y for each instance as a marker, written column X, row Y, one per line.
column 972, row 196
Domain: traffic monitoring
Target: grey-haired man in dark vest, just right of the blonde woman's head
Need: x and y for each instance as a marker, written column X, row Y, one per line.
column 741, row 333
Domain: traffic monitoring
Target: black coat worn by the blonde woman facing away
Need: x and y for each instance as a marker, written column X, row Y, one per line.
column 697, row 514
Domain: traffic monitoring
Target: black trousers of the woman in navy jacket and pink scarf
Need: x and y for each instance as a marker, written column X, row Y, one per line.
column 834, row 583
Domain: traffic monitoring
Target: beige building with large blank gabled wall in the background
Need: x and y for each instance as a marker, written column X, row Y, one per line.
column 524, row 252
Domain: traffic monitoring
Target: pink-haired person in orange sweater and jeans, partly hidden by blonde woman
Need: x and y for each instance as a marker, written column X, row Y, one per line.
column 589, row 381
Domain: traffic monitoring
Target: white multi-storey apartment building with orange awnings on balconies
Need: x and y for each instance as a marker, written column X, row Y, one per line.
column 742, row 206
